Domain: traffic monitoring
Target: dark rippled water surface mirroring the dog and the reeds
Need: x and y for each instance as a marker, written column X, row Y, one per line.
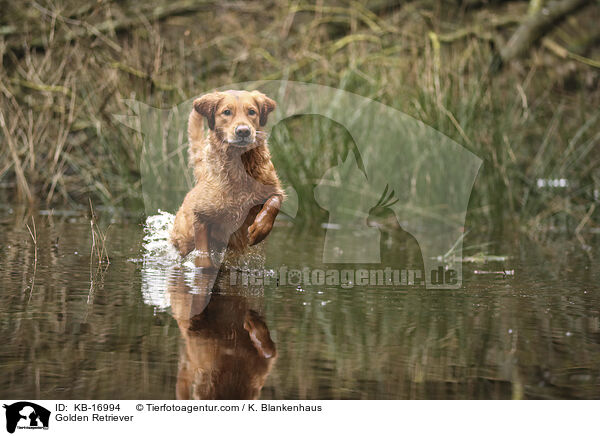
column 74, row 329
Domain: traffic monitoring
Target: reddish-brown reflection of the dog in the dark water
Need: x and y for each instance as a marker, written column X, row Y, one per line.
column 227, row 350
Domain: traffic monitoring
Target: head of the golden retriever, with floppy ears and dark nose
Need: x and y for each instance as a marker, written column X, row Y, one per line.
column 236, row 117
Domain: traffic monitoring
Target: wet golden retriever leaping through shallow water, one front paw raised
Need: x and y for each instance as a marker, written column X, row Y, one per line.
column 237, row 193
